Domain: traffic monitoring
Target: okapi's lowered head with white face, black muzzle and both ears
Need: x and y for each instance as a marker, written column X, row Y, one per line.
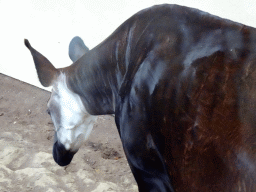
column 72, row 122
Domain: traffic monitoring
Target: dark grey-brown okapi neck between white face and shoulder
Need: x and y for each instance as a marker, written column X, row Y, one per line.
column 93, row 78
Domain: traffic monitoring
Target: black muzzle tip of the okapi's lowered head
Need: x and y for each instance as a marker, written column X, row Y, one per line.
column 61, row 156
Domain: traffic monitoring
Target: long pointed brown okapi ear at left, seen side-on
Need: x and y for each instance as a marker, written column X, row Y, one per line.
column 45, row 70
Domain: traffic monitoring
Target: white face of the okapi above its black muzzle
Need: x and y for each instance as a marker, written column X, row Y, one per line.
column 72, row 122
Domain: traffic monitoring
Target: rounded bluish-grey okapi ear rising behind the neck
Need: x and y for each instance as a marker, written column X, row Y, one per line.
column 77, row 48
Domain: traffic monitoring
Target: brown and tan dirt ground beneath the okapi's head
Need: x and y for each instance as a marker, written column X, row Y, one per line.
column 26, row 138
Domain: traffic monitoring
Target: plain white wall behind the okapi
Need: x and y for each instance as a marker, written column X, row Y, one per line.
column 50, row 25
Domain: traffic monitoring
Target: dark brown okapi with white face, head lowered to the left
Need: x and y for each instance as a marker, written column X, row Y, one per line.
column 181, row 84
